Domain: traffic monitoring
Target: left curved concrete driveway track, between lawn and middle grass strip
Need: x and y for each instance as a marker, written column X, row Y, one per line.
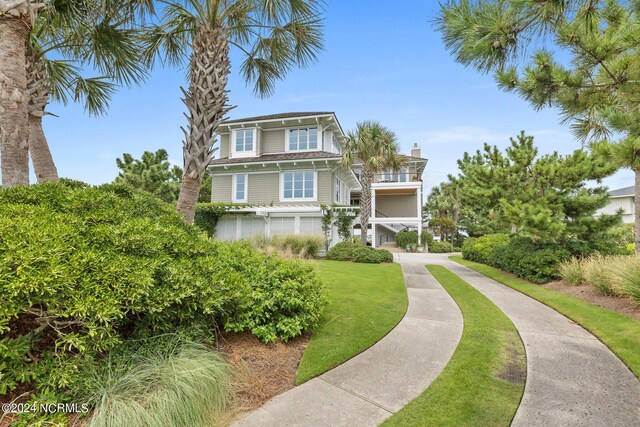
column 378, row 382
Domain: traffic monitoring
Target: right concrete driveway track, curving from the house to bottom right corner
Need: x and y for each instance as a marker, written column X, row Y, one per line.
column 572, row 378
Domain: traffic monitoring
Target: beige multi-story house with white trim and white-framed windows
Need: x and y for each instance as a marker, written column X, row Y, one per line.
column 286, row 166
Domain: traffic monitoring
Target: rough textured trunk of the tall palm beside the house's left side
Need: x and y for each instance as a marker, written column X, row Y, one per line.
column 206, row 101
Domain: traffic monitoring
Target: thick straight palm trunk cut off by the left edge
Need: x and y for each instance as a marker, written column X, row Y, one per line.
column 14, row 129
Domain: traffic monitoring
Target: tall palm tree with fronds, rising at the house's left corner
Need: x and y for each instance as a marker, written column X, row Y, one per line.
column 272, row 36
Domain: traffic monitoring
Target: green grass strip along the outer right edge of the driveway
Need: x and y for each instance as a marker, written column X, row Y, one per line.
column 617, row 331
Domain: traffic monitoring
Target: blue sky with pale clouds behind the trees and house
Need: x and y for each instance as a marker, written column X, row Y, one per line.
column 382, row 61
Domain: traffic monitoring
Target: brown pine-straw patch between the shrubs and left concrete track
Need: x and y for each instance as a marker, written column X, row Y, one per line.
column 264, row 370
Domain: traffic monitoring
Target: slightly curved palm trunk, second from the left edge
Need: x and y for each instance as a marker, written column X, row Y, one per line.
column 38, row 90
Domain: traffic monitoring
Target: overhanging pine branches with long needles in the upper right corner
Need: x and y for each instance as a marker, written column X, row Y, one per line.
column 579, row 56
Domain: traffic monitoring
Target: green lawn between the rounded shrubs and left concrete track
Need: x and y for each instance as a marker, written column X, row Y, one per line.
column 366, row 301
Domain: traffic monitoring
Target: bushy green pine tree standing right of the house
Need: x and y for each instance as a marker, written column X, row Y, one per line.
column 542, row 197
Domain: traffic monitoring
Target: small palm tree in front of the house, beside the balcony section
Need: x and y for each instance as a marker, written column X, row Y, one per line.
column 376, row 147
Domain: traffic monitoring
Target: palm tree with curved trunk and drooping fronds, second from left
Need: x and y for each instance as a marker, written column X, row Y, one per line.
column 99, row 35
